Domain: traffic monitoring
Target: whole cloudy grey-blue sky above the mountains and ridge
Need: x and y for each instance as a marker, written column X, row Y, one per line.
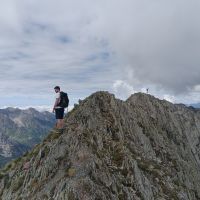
column 122, row 46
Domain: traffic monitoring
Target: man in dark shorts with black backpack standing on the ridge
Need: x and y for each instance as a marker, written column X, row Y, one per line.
column 59, row 107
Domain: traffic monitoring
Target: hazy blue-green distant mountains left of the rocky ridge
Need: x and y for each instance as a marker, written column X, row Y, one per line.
column 20, row 130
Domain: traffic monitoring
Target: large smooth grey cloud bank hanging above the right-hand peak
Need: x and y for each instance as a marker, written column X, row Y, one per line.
column 157, row 42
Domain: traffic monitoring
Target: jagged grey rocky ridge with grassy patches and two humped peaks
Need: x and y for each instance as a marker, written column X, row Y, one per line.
column 139, row 149
